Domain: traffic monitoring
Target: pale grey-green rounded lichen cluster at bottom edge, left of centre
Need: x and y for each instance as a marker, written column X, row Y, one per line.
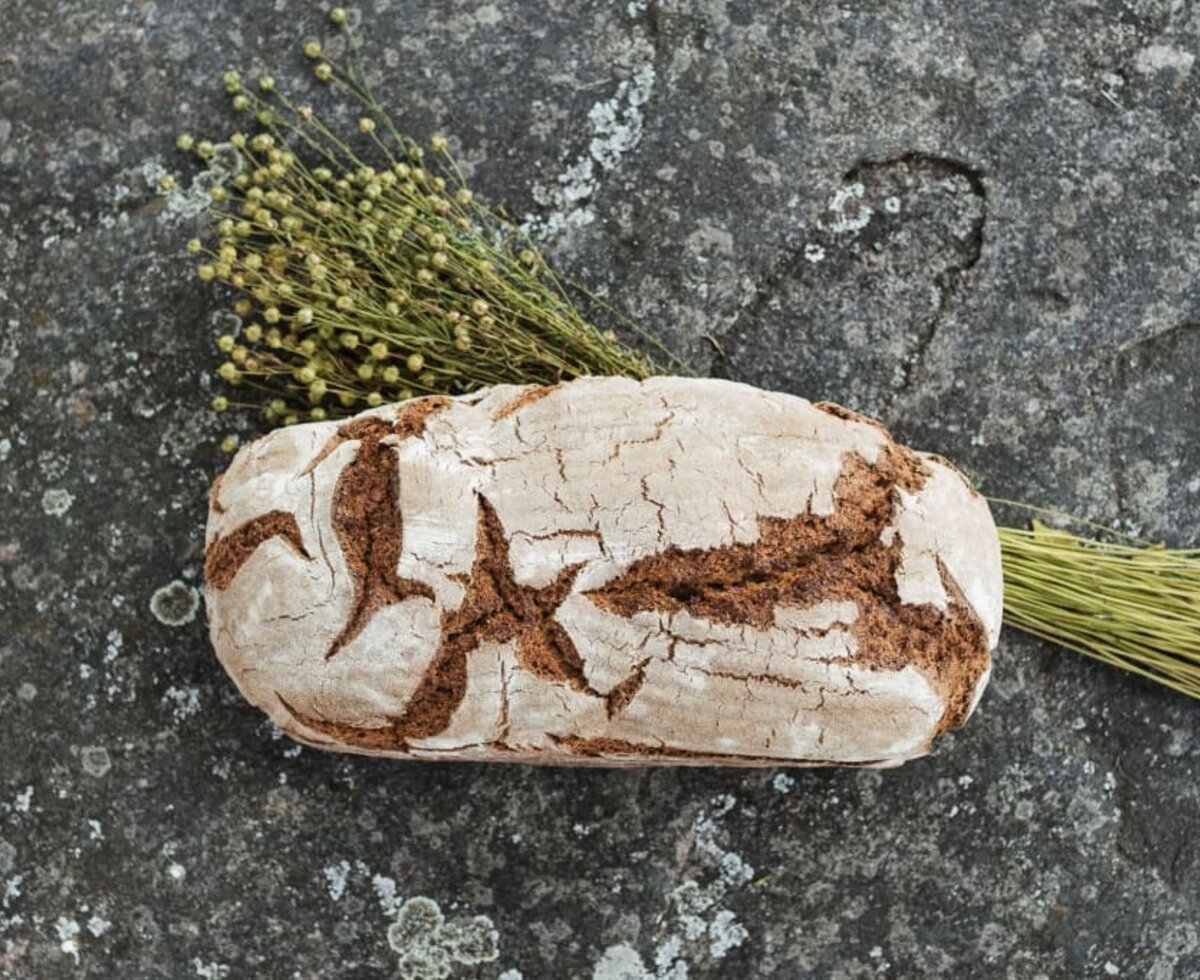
column 430, row 946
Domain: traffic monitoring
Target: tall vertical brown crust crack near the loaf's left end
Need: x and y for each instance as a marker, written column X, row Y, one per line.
column 369, row 527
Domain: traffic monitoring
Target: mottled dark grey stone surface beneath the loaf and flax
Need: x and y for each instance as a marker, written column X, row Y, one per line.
column 977, row 221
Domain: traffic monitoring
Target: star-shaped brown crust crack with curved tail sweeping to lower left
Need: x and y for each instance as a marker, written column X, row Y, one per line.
column 497, row 610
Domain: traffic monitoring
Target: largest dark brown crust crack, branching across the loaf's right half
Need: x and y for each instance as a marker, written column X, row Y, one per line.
column 809, row 560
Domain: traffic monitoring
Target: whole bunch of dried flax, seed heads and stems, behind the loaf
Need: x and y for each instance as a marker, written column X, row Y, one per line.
column 369, row 274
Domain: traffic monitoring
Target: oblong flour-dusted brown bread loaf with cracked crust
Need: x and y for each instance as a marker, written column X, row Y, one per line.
column 608, row 573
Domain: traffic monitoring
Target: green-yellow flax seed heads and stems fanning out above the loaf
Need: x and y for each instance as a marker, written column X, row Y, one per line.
column 369, row 272
